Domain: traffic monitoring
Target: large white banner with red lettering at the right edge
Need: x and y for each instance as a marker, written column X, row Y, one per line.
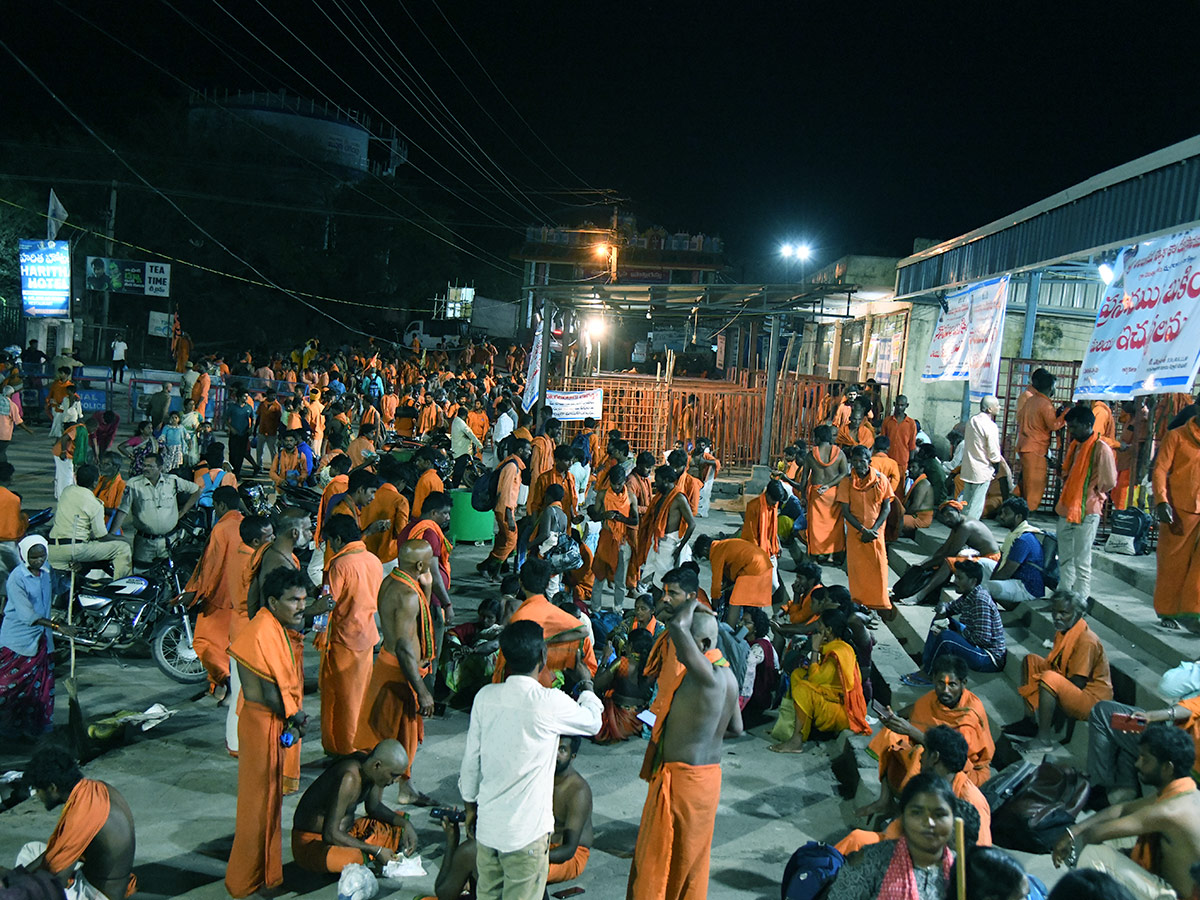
column 1148, row 331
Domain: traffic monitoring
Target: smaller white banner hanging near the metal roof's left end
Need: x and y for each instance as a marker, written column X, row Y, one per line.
column 969, row 335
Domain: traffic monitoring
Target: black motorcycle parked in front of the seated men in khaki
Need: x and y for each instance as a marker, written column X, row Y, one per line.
column 117, row 614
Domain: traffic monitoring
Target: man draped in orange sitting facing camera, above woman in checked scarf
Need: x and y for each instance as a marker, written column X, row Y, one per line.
column 899, row 746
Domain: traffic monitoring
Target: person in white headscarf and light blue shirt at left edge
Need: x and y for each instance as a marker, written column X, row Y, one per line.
column 27, row 646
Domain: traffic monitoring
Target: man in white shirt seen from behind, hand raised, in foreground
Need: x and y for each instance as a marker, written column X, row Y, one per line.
column 508, row 771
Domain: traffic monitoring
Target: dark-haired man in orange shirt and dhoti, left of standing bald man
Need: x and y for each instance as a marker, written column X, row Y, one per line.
column 355, row 578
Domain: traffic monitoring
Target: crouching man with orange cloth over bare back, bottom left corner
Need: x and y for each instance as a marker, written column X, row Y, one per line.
column 94, row 839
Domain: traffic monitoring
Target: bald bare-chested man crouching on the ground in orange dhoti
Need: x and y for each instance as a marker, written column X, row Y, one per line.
column 326, row 835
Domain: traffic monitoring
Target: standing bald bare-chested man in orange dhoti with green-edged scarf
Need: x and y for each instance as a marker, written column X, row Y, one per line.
column 397, row 700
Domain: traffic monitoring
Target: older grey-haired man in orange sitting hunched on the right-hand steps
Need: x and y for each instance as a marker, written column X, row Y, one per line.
column 1073, row 679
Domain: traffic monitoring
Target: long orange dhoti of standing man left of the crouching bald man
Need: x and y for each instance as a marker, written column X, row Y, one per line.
column 256, row 860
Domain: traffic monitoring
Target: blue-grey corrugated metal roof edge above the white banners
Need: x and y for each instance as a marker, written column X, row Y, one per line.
column 1156, row 195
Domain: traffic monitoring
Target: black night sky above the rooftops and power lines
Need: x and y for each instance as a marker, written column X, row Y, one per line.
column 855, row 127
